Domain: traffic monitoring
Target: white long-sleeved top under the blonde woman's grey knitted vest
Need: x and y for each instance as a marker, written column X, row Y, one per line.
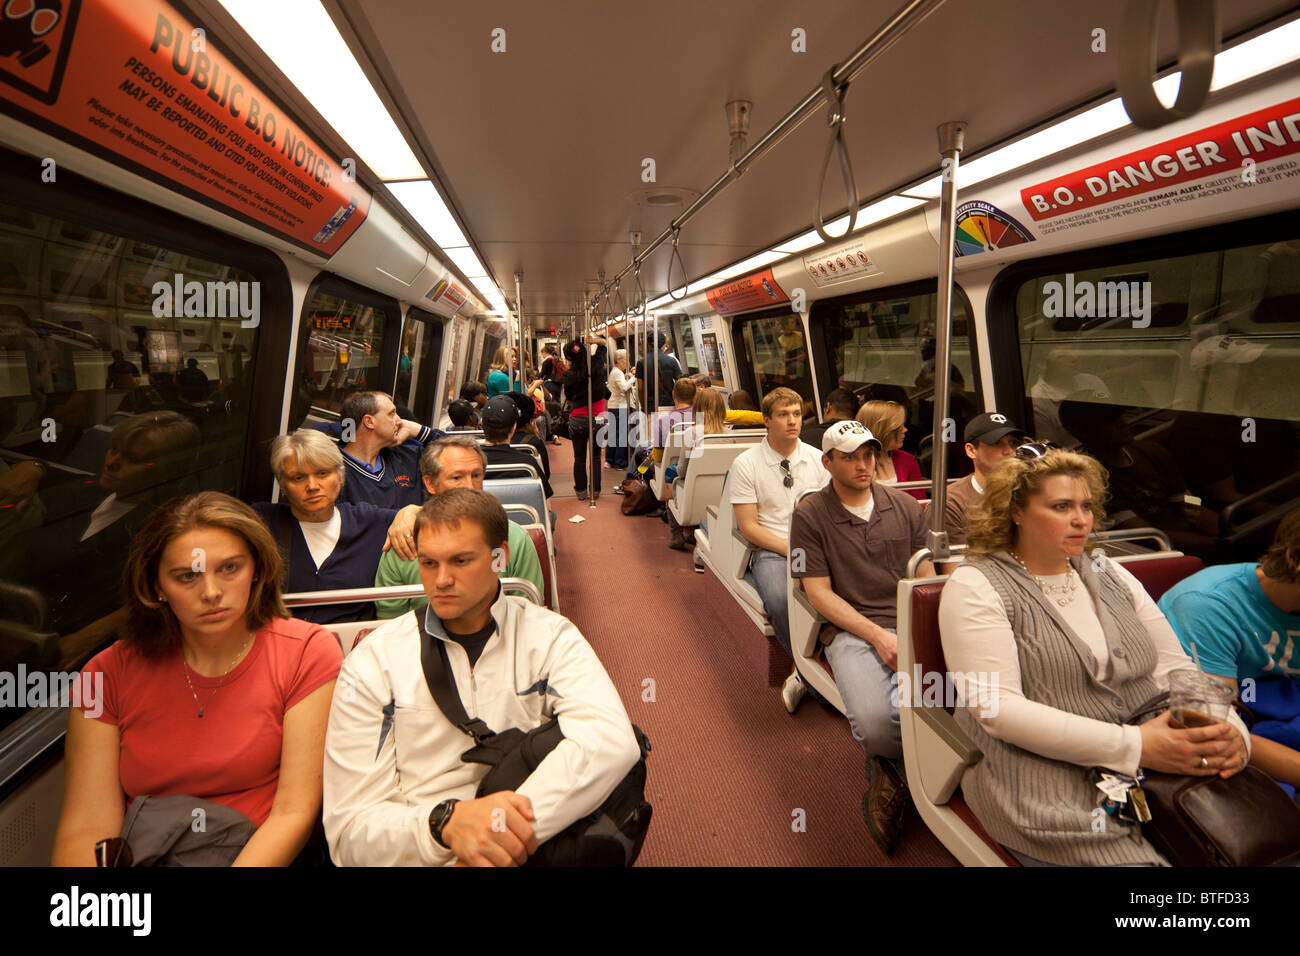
column 978, row 639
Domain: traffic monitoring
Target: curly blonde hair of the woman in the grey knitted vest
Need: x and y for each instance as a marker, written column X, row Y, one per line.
column 989, row 521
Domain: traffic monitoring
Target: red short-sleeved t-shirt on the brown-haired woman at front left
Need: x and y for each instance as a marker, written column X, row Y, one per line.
column 232, row 754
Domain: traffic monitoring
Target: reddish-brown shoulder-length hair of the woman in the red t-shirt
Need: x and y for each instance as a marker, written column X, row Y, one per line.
column 153, row 626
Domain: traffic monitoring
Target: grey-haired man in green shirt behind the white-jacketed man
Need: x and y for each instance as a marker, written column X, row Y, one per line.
column 456, row 462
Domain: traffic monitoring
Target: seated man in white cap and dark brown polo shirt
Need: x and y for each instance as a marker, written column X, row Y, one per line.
column 850, row 547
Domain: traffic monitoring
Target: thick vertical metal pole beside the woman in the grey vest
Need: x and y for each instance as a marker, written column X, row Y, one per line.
column 952, row 137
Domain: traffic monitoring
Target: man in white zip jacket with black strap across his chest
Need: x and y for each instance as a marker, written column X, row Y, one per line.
column 396, row 790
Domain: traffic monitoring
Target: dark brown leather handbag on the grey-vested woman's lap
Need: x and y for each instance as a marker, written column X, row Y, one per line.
column 1246, row 820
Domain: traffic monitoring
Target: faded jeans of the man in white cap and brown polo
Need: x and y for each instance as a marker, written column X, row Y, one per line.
column 870, row 694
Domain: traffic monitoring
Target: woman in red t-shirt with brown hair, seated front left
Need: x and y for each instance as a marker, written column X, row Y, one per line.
column 214, row 693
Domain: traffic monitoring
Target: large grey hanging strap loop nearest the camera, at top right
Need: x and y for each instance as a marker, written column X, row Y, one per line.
column 1198, row 46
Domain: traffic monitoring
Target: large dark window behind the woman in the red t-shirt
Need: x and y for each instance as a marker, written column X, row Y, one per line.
column 125, row 380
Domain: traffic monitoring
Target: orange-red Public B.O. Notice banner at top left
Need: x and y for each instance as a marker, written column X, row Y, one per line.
column 137, row 83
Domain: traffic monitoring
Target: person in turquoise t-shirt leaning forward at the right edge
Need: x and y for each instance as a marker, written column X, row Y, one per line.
column 1245, row 622
